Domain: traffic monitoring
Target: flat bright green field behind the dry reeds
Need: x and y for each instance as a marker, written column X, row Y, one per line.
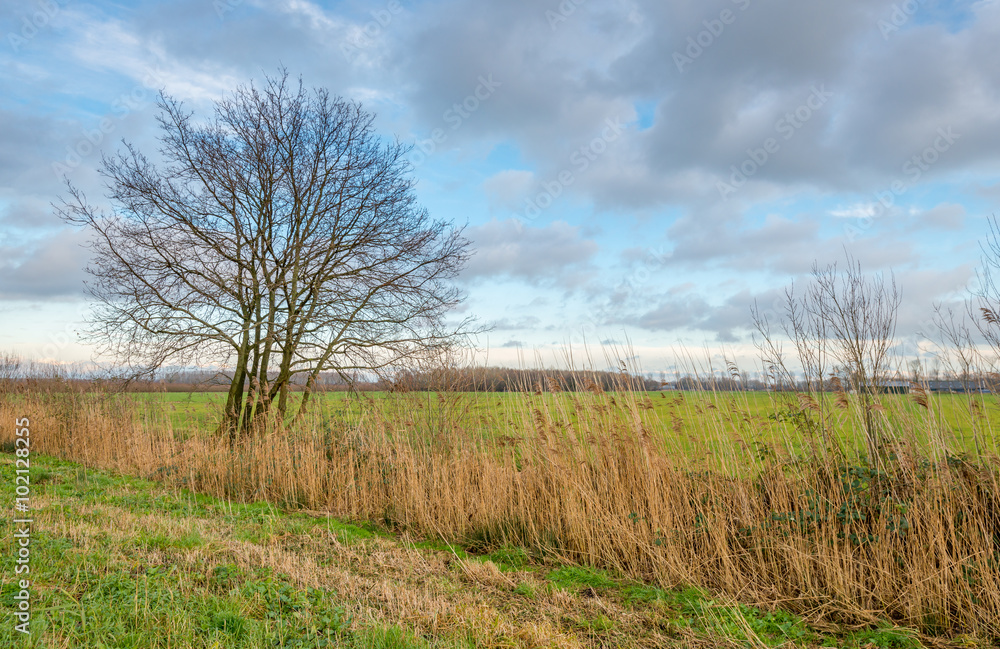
column 697, row 423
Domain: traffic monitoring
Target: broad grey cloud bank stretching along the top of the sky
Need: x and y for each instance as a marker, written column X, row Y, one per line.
column 559, row 85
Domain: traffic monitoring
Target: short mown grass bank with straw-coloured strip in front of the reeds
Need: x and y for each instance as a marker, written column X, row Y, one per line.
column 119, row 561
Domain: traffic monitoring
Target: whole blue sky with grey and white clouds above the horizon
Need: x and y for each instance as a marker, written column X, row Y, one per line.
column 633, row 174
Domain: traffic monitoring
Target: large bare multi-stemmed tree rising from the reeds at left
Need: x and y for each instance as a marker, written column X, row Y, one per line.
column 282, row 238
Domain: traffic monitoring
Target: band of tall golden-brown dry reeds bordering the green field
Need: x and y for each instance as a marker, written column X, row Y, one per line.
column 599, row 478
